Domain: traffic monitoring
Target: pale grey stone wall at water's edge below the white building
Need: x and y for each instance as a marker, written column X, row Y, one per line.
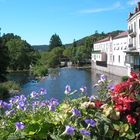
column 116, row 70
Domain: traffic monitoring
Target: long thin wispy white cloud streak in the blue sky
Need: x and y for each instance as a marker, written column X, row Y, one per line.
column 116, row 5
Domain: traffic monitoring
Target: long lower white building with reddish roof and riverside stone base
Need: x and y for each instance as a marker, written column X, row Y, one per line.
column 108, row 54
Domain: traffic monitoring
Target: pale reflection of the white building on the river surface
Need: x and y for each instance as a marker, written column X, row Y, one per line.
column 95, row 74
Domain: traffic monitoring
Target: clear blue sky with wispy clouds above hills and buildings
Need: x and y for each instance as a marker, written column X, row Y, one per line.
column 37, row 20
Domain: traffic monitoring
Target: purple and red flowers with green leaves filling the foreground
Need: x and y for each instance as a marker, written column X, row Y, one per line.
column 113, row 115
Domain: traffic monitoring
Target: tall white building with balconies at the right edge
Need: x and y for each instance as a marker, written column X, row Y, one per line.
column 133, row 51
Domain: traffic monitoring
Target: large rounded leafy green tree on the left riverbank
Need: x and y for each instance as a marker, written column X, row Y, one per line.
column 19, row 51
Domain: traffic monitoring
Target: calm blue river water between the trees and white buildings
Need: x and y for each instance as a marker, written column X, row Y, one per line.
column 57, row 80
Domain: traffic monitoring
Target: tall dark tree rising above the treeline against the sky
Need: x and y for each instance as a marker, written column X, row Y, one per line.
column 55, row 41
